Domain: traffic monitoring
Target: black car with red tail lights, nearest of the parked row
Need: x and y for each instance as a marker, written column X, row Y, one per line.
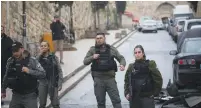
column 187, row 64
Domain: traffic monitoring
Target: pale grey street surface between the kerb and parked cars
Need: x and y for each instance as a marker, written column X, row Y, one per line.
column 157, row 47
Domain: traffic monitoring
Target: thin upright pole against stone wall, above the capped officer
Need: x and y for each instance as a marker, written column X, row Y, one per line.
column 24, row 24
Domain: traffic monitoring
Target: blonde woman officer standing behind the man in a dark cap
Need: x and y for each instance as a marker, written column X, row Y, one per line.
column 53, row 81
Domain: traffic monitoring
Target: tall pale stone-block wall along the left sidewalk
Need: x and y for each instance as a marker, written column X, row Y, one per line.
column 40, row 14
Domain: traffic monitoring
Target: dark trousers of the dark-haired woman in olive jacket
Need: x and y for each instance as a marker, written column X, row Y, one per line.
column 143, row 102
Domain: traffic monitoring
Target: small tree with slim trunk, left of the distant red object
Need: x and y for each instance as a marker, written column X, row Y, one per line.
column 120, row 6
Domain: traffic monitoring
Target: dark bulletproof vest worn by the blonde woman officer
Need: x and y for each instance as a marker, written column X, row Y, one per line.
column 51, row 68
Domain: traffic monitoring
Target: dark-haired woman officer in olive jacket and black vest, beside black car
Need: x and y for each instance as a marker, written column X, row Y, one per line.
column 143, row 81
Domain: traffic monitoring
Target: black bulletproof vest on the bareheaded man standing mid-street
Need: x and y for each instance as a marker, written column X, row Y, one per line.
column 105, row 62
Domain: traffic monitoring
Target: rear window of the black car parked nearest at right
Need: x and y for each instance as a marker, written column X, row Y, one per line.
column 192, row 46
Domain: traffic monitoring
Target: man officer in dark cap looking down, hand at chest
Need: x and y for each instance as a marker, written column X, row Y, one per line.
column 22, row 72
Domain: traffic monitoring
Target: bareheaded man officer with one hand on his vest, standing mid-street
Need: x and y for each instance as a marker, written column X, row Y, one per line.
column 103, row 70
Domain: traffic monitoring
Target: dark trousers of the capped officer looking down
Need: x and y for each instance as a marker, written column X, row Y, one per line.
column 24, row 101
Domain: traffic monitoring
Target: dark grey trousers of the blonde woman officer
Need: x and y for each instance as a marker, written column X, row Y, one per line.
column 44, row 90
